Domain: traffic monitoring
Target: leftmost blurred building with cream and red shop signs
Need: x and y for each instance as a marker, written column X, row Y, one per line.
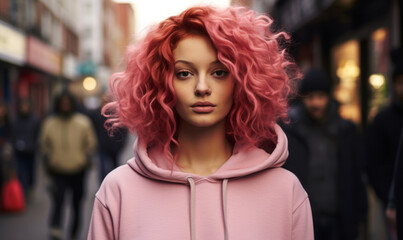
column 46, row 38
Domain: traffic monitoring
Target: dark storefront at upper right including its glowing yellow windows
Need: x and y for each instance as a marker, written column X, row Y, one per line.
column 351, row 40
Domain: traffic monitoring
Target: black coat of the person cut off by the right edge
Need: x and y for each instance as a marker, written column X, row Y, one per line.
column 382, row 143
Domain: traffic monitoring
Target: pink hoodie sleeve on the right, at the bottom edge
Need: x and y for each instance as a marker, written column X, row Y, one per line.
column 302, row 225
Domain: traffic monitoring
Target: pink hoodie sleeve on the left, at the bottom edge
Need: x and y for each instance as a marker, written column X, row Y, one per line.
column 101, row 225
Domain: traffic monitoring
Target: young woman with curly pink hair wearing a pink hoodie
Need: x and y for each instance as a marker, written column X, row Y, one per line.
column 203, row 91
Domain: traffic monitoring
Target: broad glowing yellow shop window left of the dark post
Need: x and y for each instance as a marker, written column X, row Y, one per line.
column 347, row 71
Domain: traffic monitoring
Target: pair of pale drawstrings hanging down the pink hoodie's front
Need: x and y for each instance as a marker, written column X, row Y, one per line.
column 192, row 207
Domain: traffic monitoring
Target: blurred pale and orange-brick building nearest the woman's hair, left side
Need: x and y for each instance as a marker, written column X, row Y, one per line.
column 105, row 29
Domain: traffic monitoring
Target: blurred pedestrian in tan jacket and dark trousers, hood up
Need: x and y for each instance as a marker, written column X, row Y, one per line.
column 67, row 143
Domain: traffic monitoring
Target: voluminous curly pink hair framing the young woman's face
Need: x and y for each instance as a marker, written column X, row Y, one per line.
column 144, row 97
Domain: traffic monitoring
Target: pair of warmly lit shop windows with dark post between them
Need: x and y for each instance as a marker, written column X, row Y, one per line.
column 361, row 67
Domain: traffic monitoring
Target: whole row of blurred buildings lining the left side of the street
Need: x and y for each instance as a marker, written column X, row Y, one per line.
column 46, row 45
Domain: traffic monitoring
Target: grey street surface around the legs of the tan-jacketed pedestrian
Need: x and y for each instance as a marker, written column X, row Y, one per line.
column 32, row 223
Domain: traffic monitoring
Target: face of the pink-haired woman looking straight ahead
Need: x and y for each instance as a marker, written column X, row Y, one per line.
column 203, row 85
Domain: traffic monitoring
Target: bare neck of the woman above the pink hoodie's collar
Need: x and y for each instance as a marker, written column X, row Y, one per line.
column 203, row 150
